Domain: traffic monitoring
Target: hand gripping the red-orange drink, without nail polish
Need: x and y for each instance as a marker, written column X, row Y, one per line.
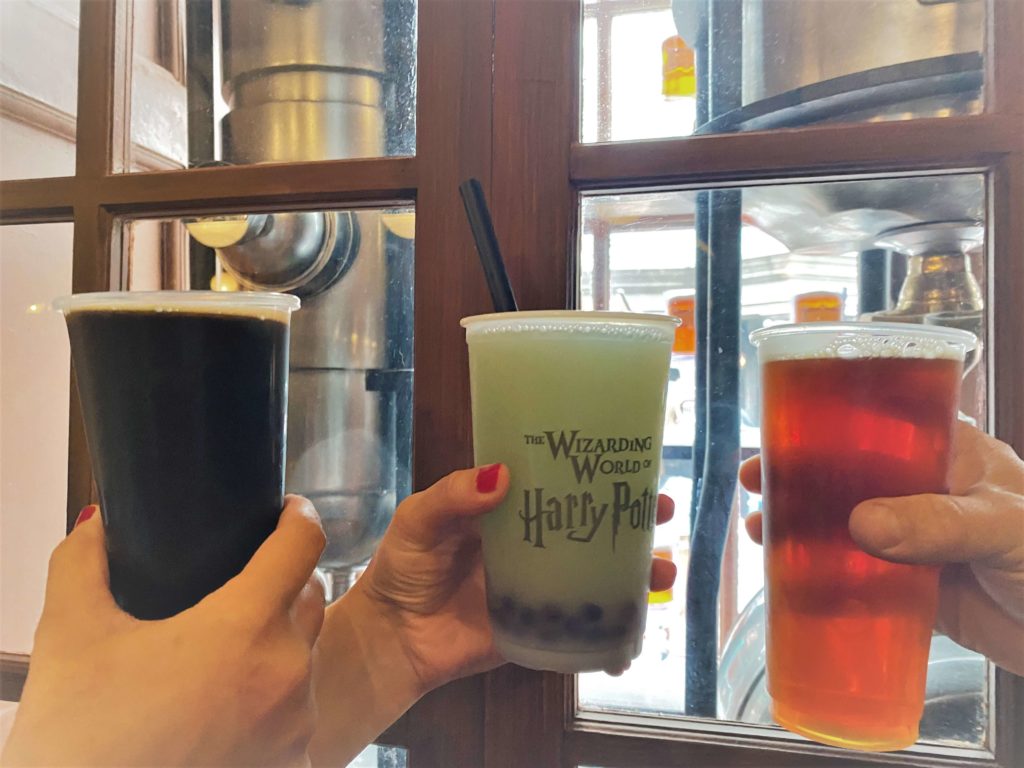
column 976, row 532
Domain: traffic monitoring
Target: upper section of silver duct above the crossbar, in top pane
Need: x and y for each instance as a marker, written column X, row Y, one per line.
column 303, row 80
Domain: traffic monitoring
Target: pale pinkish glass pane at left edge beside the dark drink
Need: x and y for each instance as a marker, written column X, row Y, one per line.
column 35, row 378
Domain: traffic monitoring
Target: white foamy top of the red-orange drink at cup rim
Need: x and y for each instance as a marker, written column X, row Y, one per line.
column 862, row 340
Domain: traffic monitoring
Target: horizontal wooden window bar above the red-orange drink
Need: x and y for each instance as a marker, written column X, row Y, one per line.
column 909, row 146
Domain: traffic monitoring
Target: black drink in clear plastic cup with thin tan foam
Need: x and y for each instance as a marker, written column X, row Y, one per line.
column 184, row 398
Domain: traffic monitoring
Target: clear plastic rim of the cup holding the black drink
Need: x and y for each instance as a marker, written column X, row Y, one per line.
column 239, row 303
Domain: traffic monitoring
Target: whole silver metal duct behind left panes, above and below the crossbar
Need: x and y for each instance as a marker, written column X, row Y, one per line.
column 305, row 80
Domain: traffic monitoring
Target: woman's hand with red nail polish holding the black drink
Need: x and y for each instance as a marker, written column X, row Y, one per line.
column 227, row 682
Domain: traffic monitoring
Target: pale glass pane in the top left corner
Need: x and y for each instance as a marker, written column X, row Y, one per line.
column 38, row 88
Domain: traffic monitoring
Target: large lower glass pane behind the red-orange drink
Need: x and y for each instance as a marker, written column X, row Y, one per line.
column 838, row 250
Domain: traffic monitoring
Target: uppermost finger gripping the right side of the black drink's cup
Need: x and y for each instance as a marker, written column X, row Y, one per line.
column 283, row 565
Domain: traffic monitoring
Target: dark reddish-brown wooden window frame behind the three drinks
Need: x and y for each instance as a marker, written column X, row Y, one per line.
column 498, row 99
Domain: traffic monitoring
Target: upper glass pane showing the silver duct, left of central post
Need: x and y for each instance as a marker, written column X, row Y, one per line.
column 259, row 81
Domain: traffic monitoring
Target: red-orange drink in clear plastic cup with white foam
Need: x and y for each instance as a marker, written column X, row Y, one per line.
column 850, row 412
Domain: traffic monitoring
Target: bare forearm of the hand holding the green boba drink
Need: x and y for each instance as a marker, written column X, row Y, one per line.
column 363, row 680
